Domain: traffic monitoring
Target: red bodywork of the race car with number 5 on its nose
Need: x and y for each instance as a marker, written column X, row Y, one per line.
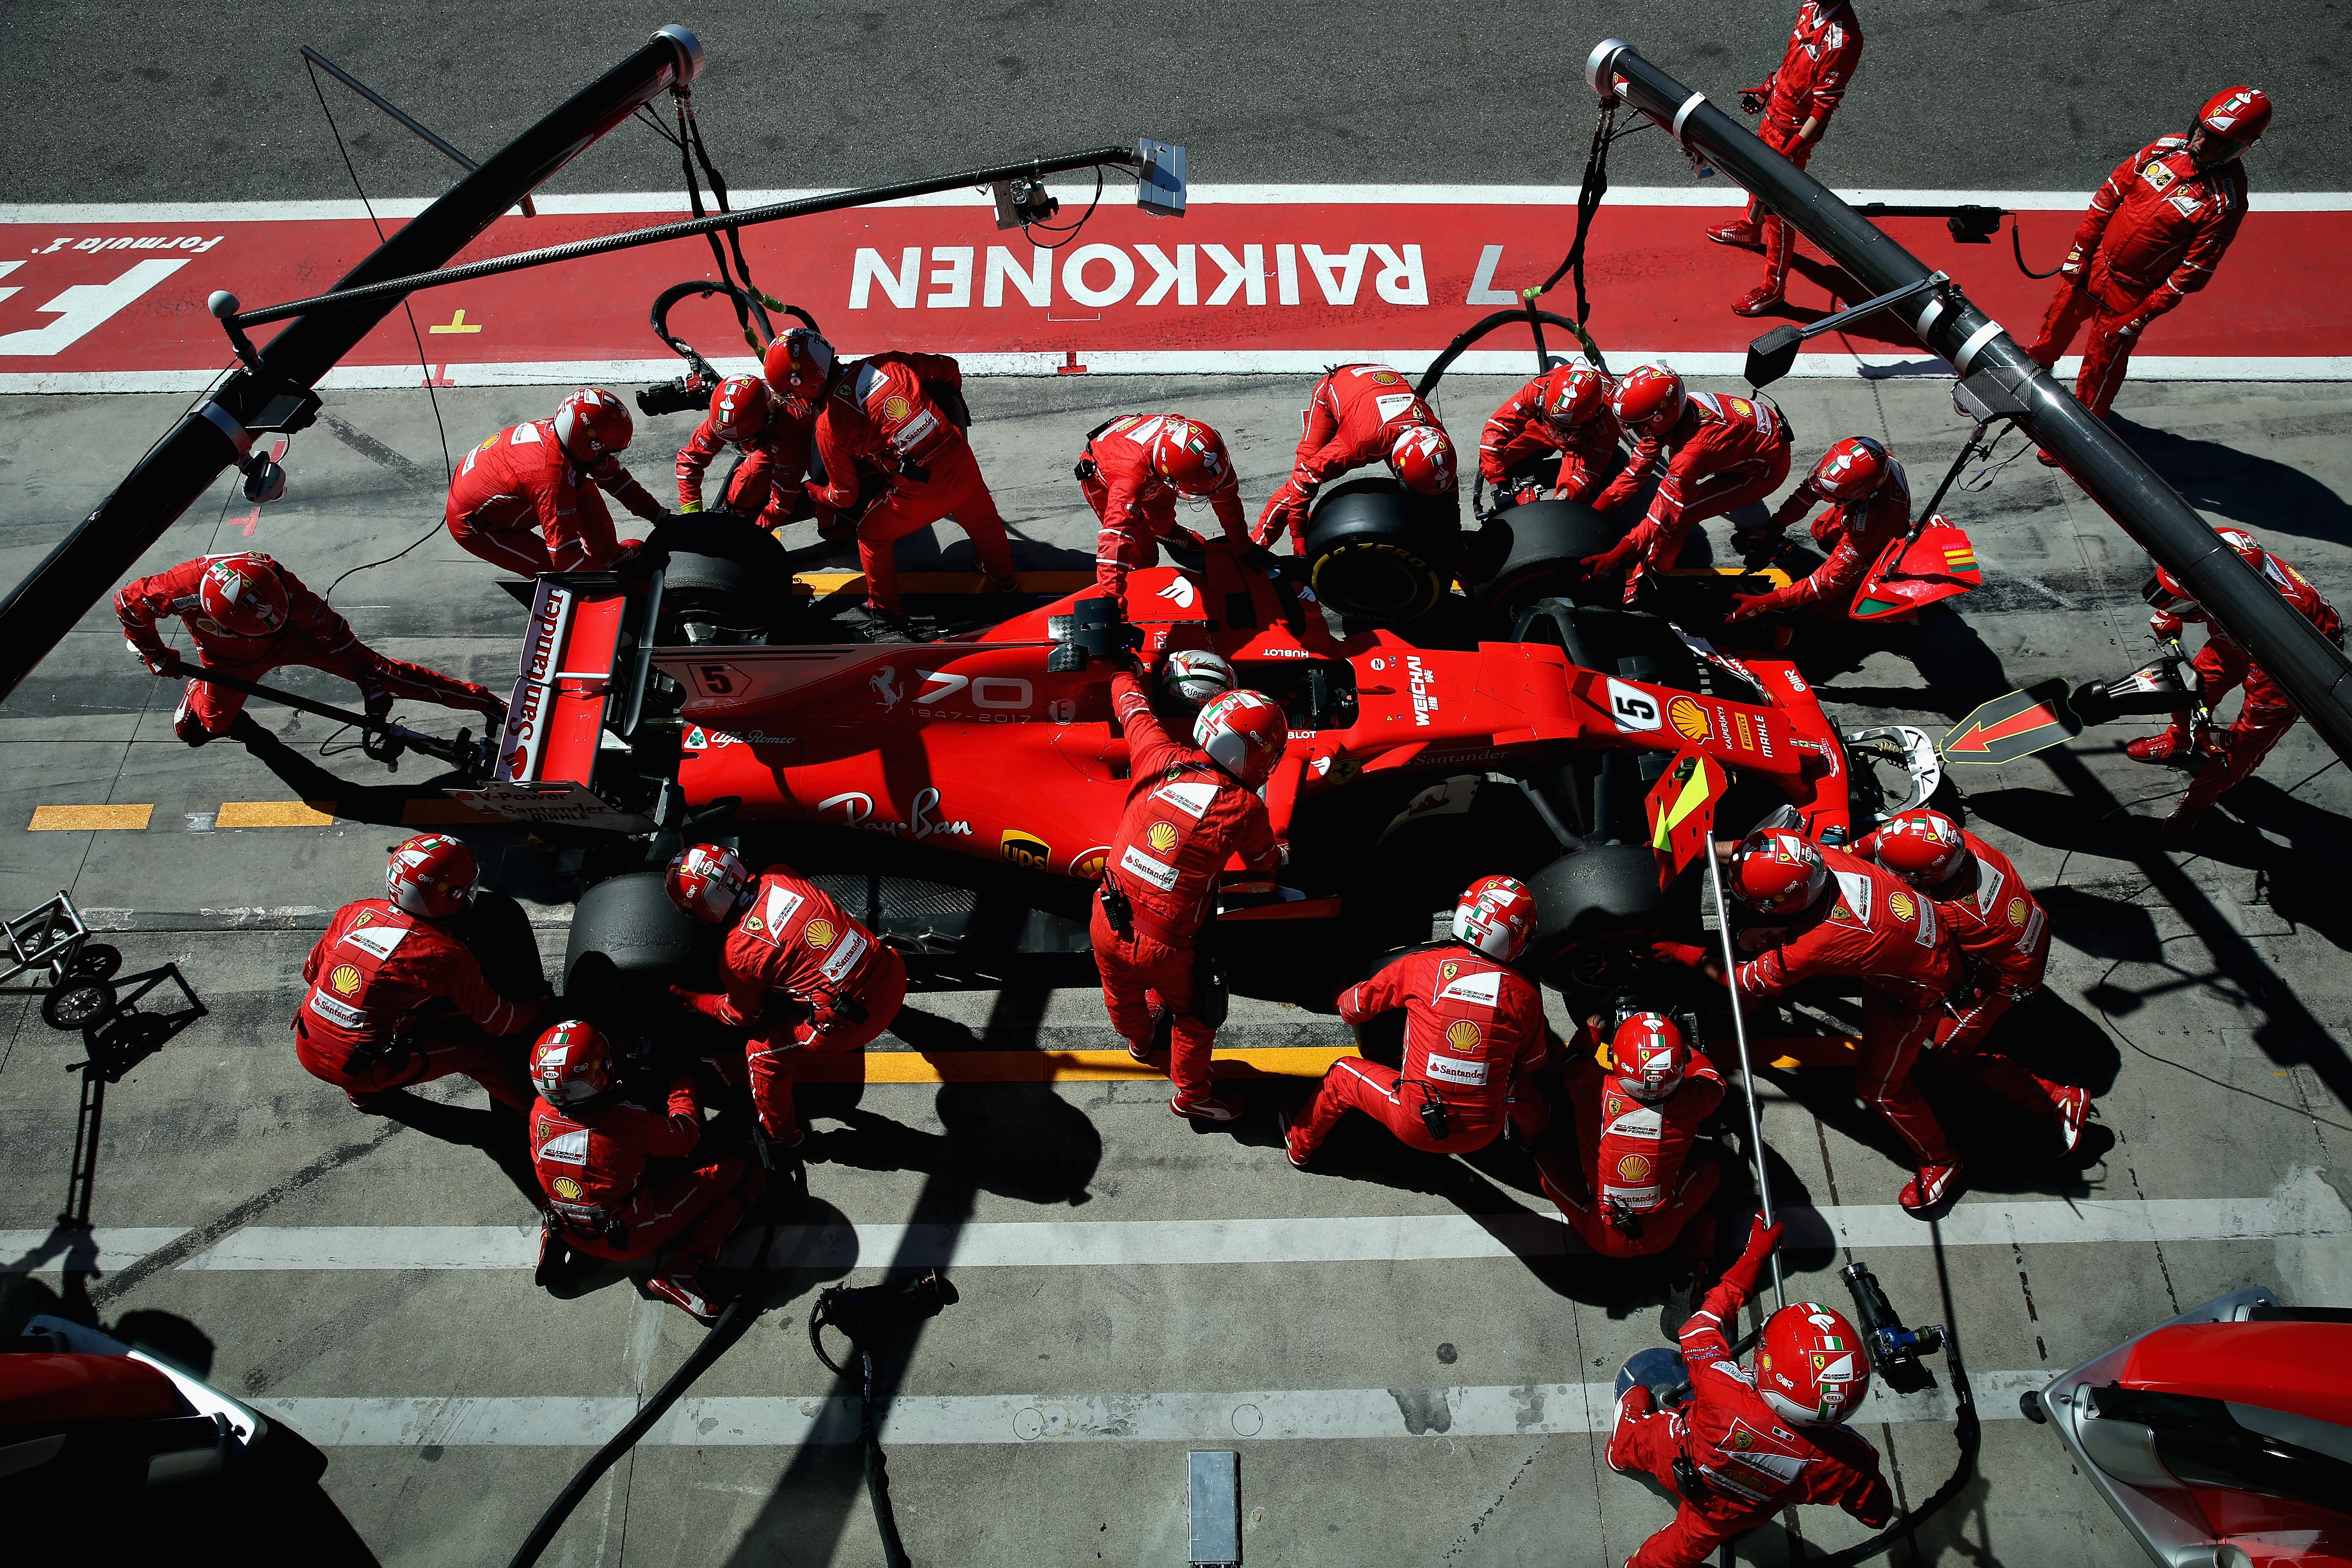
column 977, row 746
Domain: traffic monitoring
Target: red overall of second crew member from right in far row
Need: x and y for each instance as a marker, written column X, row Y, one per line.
column 1723, row 455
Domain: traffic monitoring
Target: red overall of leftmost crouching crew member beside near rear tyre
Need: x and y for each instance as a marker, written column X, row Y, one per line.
column 373, row 974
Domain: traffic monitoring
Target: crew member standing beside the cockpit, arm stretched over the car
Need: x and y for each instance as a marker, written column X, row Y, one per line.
column 1191, row 810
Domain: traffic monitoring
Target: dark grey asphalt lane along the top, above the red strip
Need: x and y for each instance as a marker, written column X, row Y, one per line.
column 211, row 102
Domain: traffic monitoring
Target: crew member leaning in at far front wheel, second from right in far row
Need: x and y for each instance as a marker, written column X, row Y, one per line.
column 1723, row 453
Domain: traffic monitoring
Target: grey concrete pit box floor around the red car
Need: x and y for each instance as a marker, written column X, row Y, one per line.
column 2200, row 996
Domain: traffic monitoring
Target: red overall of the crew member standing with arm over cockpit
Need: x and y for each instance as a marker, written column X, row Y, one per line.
column 1184, row 822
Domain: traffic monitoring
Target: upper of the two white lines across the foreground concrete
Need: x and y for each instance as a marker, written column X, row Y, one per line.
column 1255, row 1242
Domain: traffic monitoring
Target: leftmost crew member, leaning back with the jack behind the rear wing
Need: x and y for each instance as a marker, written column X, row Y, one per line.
column 248, row 617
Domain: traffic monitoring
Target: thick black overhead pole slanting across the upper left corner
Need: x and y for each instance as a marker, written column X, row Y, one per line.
column 276, row 391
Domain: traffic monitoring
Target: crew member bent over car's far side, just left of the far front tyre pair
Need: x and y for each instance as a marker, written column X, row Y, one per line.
column 1132, row 471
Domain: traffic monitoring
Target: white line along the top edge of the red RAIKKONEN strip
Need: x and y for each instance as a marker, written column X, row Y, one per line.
column 1709, row 194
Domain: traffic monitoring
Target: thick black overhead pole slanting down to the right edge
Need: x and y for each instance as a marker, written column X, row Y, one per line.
column 1998, row 375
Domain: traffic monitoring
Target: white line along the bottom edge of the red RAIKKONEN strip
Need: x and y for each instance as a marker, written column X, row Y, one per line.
column 1189, row 363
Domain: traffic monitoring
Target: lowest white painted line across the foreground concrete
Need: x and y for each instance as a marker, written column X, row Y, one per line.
column 1537, row 1409
